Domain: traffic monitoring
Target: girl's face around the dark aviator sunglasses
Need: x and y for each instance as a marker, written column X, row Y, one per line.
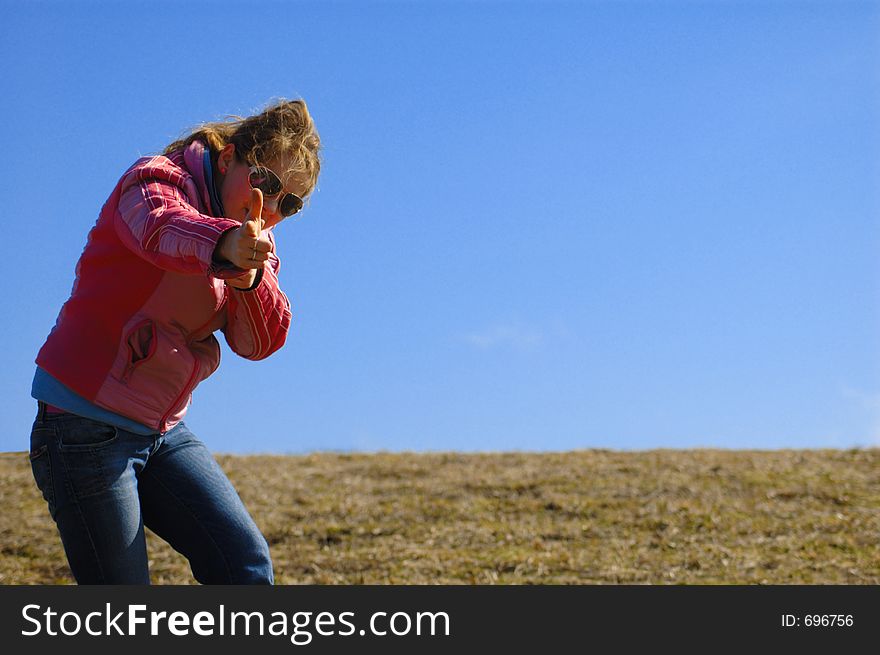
column 235, row 190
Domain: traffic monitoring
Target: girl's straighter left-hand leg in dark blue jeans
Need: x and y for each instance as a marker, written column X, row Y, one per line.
column 85, row 470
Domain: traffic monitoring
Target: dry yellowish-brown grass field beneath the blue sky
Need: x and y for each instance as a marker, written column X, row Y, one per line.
column 581, row 517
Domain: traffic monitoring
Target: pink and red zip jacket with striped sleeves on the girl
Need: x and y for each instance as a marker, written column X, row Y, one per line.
column 136, row 335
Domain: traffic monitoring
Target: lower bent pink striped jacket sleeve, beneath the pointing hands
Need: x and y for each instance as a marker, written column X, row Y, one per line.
column 257, row 320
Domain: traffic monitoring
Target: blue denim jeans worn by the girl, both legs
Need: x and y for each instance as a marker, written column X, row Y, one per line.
column 104, row 484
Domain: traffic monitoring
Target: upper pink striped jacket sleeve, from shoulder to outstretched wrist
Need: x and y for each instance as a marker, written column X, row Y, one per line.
column 156, row 221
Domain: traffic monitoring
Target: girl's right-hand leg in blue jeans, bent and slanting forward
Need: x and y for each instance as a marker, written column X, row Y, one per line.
column 188, row 501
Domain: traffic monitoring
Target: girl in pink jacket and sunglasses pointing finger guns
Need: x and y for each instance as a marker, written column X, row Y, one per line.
column 182, row 248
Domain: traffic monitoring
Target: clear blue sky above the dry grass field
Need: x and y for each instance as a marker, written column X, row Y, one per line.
column 540, row 226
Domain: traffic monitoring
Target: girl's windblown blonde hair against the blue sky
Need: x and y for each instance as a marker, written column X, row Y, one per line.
column 284, row 130
